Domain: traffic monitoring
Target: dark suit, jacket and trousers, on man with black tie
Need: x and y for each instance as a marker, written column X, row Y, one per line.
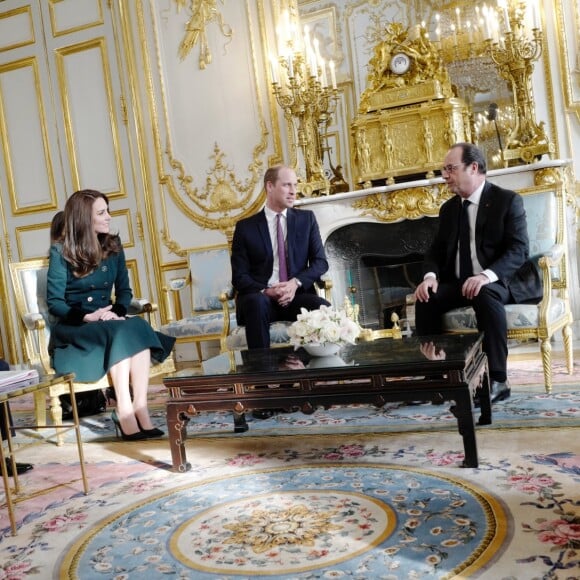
column 501, row 240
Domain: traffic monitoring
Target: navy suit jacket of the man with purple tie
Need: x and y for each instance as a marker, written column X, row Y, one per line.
column 253, row 256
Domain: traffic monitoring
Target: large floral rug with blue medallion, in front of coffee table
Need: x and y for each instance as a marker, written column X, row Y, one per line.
column 364, row 506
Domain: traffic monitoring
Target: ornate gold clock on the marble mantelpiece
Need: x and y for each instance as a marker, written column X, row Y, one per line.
column 408, row 116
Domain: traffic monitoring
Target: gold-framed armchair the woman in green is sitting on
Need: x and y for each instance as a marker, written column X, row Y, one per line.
column 29, row 283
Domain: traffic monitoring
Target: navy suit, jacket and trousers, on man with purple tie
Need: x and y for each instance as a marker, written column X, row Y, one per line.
column 252, row 265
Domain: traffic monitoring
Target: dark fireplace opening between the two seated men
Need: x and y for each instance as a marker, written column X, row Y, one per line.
column 383, row 262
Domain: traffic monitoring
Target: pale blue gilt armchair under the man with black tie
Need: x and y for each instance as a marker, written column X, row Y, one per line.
column 545, row 209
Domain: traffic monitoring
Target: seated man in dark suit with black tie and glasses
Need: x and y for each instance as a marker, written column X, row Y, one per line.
column 495, row 270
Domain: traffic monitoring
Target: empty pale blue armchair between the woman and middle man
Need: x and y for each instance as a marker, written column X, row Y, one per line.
column 212, row 311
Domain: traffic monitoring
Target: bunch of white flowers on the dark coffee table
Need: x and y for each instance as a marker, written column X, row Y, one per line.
column 326, row 325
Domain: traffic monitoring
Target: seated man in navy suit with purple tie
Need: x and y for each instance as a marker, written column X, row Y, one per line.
column 269, row 287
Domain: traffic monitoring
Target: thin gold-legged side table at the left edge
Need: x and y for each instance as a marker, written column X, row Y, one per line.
column 6, row 394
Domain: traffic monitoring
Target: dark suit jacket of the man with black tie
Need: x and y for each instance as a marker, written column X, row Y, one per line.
column 501, row 240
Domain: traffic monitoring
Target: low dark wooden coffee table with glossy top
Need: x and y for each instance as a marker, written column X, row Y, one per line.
column 374, row 372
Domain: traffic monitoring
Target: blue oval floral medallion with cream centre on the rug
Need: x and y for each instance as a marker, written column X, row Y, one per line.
column 343, row 518
